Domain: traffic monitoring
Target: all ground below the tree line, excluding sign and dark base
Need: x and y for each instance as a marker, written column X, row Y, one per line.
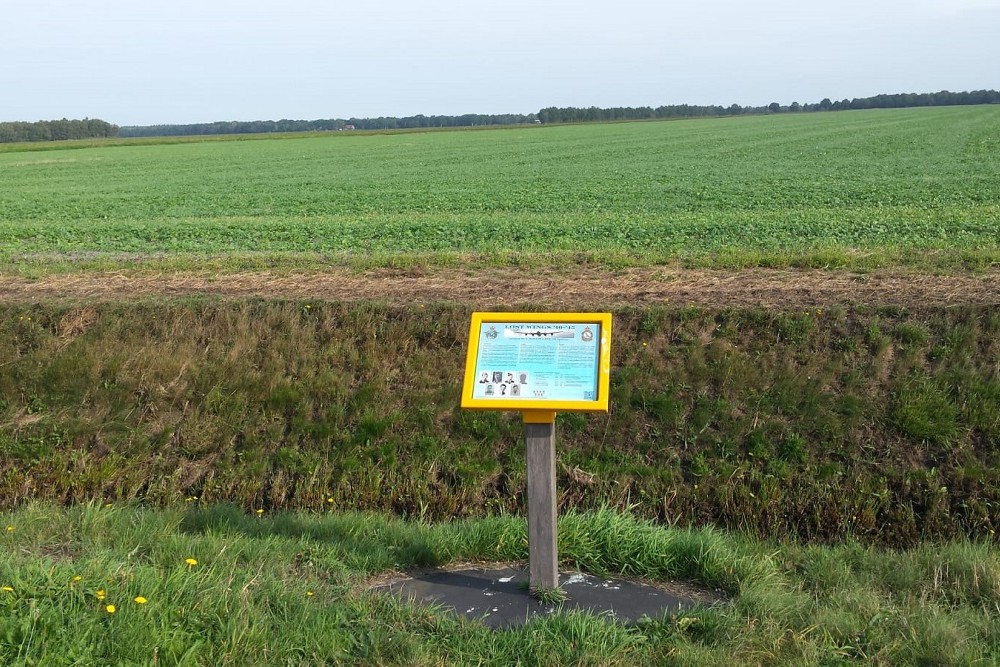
column 230, row 374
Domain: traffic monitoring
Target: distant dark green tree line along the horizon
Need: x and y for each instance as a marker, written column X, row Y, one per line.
column 55, row 130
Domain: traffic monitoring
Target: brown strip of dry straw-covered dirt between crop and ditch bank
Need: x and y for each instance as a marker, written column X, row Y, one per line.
column 493, row 288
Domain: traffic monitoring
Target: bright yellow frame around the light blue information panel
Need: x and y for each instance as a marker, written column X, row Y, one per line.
column 539, row 410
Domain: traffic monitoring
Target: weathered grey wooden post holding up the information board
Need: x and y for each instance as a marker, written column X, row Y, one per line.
column 543, row 558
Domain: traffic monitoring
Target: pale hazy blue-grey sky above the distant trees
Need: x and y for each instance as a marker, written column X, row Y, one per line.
column 144, row 62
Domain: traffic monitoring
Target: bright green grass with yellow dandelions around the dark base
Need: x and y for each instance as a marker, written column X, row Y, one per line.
column 289, row 588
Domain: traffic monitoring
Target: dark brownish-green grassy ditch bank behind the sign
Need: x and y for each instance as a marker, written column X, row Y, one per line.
column 877, row 425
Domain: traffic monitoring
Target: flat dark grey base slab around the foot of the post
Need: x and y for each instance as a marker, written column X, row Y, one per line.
column 499, row 598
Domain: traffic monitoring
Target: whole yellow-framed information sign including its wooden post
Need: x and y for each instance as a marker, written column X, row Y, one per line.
column 539, row 364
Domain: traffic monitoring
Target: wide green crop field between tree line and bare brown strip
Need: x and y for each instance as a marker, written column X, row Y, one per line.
column 910, row 186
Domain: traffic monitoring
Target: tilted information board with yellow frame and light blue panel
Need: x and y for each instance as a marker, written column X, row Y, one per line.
column 538, row 361
